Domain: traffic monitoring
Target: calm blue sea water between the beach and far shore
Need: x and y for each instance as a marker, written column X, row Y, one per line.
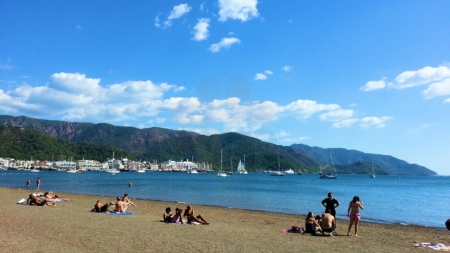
column 387, row 199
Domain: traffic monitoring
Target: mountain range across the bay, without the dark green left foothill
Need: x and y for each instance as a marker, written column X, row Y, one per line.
column 163, row 144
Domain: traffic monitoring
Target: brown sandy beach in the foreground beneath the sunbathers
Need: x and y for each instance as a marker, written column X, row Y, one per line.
column 72, row 227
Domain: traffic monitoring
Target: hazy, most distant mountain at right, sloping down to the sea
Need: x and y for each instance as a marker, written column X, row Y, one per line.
column 350, row 161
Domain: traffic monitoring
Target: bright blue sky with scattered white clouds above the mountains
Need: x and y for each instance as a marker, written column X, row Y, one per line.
column 372, row 76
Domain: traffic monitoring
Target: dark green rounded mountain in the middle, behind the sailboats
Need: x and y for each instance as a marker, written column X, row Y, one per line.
column 259, row 155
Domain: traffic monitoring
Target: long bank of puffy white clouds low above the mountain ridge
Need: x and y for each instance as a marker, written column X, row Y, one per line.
column 74, row 96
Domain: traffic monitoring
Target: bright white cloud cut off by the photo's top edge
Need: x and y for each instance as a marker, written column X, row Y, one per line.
column 238, row 9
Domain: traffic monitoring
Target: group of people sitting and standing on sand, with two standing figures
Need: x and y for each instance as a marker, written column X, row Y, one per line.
column 327, row 222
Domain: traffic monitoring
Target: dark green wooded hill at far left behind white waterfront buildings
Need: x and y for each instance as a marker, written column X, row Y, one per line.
column 24, row 144
